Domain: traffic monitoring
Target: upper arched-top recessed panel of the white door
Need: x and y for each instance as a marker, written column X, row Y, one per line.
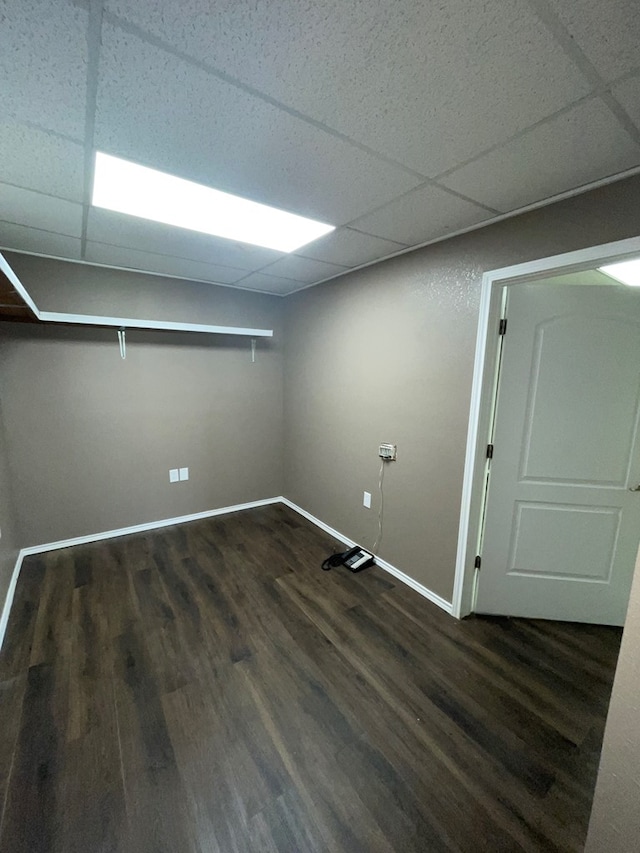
column 553, row 449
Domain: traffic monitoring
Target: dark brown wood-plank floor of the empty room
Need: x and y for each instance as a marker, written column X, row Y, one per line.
column 208, row 688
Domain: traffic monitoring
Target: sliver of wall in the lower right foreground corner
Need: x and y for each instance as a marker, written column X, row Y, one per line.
column 615, row 819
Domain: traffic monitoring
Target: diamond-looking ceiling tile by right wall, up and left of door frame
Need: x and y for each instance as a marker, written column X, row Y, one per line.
column 423, row 214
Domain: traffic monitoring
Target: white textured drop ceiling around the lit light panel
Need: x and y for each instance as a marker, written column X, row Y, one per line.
column 400, row 123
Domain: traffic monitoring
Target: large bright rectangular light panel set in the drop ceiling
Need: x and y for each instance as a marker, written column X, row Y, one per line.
column 125, row 187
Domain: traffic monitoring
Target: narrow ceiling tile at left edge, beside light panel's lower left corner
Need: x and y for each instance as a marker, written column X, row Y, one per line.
column 26, row 207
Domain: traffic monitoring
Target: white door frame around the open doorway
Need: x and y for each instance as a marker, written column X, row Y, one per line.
column 484, row 389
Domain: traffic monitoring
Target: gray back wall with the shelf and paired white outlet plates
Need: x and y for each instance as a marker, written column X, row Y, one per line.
column 91, row 437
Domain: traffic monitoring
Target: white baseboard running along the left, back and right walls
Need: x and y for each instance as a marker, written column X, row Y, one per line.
column 182, row 519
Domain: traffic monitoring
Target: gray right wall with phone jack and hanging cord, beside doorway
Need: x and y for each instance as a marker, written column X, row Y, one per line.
column 386, row 354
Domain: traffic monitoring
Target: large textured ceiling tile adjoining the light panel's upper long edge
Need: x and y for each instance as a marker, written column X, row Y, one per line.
column 219, row 135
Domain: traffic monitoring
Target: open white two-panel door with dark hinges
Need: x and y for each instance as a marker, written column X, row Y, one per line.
column 562, row 523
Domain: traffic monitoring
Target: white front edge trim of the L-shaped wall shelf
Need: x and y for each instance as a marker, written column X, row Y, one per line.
column 123, row 322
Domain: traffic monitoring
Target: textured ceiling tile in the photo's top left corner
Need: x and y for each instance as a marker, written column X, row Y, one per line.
column 43, row 58
